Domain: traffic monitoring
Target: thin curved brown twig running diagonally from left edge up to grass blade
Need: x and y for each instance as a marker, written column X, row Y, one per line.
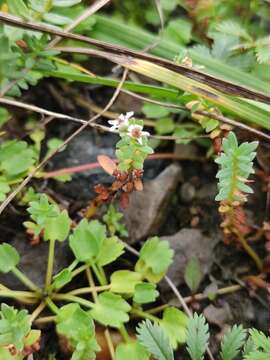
column 70, row 138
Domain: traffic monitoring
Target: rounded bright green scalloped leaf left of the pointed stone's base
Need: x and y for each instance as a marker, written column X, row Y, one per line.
column 87, row 239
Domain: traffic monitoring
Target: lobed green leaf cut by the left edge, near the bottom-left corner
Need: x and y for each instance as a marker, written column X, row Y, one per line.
column 14, row 327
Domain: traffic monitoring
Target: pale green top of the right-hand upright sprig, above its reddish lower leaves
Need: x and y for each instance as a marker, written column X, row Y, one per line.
column 236, row 163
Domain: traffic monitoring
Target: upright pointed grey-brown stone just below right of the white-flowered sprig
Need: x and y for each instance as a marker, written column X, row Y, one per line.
column 147, row 209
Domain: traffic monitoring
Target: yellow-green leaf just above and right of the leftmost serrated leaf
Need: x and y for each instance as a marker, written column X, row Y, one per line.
column 174, row 322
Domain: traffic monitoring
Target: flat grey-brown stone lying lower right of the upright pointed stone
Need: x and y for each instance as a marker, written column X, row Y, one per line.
column 188, row 243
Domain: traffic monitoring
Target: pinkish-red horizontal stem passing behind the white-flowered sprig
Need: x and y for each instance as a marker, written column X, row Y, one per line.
column 90, row 166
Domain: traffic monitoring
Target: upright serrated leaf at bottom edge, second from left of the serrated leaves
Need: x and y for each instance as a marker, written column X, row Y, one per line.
column 197, row 337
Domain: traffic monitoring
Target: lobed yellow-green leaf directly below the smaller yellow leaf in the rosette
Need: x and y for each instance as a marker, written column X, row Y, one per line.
column 110, row 310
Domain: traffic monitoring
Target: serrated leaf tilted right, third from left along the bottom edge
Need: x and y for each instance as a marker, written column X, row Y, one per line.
column 232, row 343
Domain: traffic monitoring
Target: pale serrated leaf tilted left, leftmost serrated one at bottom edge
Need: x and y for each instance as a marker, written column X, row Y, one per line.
column 153, row 338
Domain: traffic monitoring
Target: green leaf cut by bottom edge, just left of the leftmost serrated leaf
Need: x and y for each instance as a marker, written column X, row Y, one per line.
column 131, row 351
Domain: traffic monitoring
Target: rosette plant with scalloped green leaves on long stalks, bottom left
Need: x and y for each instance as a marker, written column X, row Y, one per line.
column 108, row 299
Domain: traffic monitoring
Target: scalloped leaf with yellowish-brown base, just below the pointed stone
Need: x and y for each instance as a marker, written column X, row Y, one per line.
column 155, row 258
